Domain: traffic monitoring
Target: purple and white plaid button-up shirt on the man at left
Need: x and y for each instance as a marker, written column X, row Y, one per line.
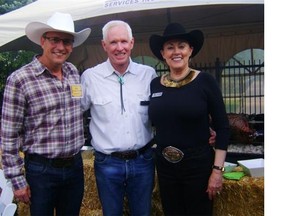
column 41, row 116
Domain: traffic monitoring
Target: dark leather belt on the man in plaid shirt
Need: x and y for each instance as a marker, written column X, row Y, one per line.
column 54, row 162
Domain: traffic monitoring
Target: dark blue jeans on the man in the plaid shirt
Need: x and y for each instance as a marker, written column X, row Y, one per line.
column 52, row 188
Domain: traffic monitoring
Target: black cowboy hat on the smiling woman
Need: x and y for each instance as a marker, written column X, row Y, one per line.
column 176, row 31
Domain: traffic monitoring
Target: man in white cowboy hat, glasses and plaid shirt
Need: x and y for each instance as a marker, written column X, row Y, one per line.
column 42, row 117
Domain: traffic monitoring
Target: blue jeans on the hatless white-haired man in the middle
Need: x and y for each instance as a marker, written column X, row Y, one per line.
column 117, row 178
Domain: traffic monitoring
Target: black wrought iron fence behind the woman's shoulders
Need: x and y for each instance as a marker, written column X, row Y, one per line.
column 242, row 84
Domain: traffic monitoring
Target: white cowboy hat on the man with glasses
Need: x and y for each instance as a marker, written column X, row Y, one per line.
column 58, row 22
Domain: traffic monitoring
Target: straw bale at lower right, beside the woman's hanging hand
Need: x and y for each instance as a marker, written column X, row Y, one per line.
column 241, row 198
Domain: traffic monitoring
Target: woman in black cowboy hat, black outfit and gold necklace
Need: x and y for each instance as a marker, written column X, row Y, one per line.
column 189, row 169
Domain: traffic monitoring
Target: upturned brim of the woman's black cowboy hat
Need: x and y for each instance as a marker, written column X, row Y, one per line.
column 195, row 38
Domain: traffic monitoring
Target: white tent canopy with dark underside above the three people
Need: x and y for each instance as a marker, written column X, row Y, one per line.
column 229, row 25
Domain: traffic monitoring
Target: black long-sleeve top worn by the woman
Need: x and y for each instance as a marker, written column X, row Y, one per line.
column 181, row 115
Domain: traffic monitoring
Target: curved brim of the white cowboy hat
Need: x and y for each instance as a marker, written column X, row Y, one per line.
column 35, row 30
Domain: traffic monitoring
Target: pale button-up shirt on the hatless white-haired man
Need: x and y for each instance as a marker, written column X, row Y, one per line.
column 118, row 124
